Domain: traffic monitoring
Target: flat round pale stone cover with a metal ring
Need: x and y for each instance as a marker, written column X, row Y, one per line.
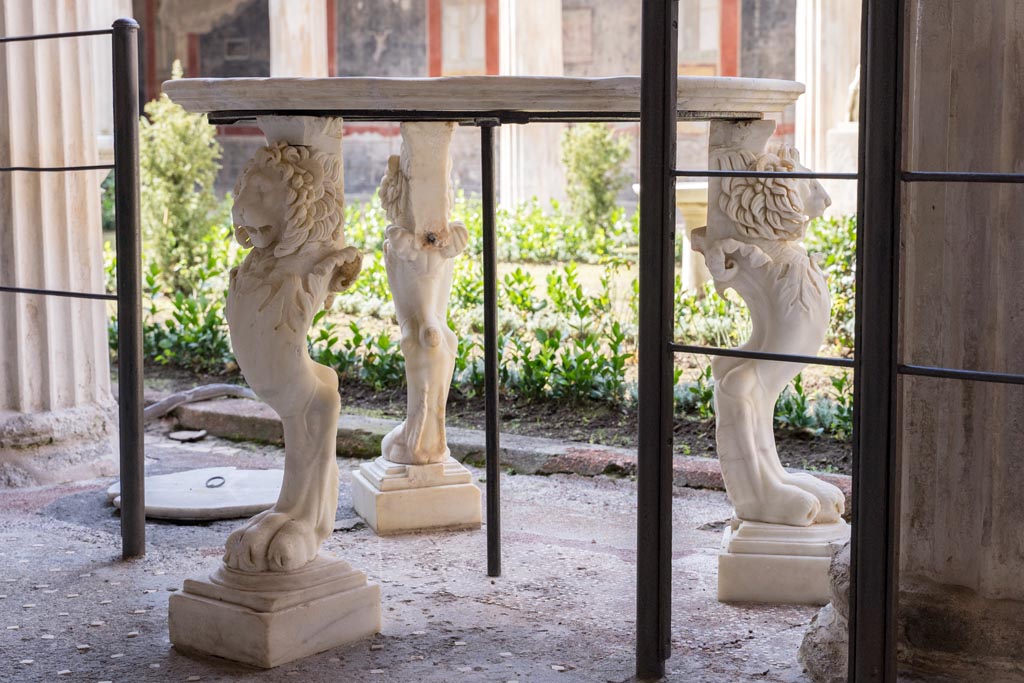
column 212, row 493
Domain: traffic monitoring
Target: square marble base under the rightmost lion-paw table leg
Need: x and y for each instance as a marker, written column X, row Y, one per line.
column 762, row 563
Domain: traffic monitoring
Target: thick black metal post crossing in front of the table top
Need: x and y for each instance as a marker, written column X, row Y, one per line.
column 658, row 157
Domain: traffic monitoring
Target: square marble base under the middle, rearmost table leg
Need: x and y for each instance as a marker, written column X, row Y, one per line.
column 402, row 499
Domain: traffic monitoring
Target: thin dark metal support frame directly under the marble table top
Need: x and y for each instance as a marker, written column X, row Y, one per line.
column 471, row 116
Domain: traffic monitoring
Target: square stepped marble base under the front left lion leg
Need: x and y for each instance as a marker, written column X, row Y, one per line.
column 271, row 619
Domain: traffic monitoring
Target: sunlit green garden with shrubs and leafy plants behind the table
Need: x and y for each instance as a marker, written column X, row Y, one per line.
column 568, row 302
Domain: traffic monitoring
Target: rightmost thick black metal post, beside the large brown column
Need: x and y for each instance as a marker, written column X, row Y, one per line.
column 875, row 569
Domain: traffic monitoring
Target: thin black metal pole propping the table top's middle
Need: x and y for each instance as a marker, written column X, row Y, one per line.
column 492, row 418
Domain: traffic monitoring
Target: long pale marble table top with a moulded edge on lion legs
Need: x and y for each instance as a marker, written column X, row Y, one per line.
column 508, row 99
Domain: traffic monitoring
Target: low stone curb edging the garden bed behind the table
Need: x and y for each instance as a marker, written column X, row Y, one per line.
column 360, row 437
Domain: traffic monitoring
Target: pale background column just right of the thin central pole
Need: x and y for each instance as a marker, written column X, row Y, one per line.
column 531, row 163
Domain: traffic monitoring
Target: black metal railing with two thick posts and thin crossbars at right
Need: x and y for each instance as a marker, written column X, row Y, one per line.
column 876, row 365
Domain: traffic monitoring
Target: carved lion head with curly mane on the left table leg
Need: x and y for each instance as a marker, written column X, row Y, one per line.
column 287, row 197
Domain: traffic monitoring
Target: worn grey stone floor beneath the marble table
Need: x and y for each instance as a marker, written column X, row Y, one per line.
column 563, row 611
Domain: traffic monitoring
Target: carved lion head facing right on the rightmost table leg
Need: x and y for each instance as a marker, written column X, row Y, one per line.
column 770, row 208
